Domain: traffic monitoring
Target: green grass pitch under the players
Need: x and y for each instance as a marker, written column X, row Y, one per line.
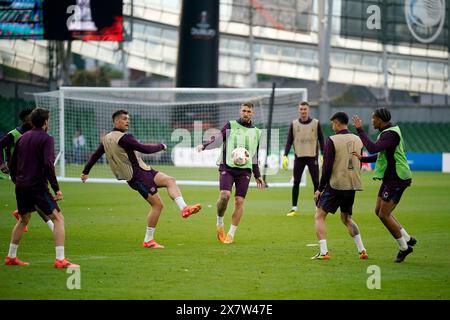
column 270, row 259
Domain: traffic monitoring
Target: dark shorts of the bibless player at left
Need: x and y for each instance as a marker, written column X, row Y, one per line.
column 28, row 198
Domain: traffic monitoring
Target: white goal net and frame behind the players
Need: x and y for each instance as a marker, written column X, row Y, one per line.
column 181, row 118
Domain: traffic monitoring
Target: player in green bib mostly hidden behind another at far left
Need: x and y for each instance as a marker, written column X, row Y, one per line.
column 7, row 144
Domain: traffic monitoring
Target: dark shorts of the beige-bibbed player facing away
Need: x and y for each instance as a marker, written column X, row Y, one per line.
column 331, row 200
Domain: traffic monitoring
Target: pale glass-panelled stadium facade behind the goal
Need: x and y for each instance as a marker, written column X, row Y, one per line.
column 284, row 43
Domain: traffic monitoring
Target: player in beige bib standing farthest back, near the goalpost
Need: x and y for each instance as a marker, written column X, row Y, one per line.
column 304, row 133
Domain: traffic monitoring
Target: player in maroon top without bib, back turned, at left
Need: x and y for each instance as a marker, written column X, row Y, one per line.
column 31, row 179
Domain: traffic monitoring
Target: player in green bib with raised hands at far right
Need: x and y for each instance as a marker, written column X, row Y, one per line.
column 393, row 169
